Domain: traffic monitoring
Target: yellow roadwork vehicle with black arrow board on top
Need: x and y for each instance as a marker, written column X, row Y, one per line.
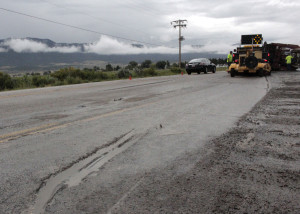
column 250, row 58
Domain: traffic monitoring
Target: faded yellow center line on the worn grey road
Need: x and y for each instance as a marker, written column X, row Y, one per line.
column 55, row 126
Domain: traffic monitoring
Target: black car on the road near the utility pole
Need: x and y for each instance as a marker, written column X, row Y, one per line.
column 200, row 65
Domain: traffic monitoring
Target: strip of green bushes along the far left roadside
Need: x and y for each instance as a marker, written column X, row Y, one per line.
column 70, row 75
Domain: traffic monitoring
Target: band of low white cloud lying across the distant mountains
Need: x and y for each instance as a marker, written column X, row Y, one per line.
column 104, row 46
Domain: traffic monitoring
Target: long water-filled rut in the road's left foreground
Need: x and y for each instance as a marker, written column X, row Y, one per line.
column 75, row 174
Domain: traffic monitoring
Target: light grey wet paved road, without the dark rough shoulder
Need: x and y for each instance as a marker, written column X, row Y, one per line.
column 86, row 148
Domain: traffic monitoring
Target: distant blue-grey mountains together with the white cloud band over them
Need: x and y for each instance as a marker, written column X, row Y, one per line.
column 32, row 54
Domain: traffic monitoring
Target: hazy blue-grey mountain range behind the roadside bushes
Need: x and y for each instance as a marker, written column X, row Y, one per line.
column 34, row 54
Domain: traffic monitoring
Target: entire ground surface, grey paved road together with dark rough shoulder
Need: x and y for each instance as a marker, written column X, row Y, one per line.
column 197, row 144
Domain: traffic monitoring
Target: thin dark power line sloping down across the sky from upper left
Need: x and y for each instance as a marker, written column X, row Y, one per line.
column 78, row 28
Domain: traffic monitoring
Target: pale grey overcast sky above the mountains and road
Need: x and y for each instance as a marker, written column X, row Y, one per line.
column 215, row 25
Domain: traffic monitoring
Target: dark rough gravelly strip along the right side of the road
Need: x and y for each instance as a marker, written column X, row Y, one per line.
column 255, row 168
